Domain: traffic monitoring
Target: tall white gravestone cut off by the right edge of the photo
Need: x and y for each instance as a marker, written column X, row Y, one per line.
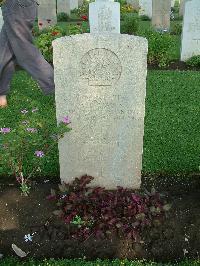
column 191, row 30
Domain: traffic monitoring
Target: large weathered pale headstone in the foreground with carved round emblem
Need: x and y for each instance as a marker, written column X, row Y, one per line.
column 101, row 84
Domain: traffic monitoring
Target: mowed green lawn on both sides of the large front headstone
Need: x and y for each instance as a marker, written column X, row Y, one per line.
column 172, row 124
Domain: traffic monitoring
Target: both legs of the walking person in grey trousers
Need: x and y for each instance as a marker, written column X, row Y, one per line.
column 16, row 46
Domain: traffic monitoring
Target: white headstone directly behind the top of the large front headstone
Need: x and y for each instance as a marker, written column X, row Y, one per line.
column 104, row 16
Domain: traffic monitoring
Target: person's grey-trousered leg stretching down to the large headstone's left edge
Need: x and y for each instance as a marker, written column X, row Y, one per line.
column 19, row 31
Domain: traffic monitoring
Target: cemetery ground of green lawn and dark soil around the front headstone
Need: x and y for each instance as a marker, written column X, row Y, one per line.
column 170, row 166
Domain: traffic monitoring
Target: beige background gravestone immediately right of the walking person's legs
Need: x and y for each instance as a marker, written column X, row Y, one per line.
column 46, row 13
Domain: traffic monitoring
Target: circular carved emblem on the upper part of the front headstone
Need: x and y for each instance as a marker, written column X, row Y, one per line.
column 101, row 67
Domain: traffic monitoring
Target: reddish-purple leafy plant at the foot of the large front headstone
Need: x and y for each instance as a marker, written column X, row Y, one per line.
column 100, row 212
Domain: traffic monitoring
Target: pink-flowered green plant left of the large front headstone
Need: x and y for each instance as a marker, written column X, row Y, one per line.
column 32, row 140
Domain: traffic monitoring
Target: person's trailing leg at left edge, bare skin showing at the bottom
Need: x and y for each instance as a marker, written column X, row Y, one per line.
column 7, row 67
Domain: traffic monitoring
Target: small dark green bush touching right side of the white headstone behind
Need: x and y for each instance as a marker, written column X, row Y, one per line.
column 130, row 24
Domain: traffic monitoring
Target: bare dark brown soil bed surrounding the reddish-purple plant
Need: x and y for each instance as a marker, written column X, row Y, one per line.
column 177, row 237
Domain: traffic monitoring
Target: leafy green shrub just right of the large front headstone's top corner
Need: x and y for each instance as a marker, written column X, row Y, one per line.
column 159, row 46
